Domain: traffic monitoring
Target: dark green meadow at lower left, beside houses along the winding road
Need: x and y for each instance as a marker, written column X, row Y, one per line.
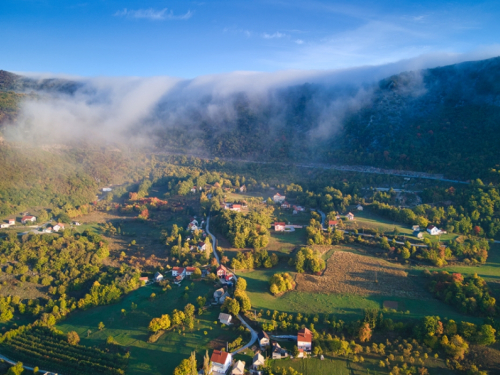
column 132, row 330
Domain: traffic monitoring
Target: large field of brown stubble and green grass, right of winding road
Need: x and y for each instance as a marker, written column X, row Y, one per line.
column 348, row 286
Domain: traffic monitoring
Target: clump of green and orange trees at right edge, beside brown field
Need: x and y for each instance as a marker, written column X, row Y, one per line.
column 470, row 294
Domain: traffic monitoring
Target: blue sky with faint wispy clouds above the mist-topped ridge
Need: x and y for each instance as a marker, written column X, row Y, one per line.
column 188, row 38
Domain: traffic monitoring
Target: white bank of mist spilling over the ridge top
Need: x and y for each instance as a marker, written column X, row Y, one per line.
column 134, row 110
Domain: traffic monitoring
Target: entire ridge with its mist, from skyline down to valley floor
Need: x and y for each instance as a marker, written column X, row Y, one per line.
column 442, row 119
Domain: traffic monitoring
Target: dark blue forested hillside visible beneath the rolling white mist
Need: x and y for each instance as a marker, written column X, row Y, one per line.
column 442, row 120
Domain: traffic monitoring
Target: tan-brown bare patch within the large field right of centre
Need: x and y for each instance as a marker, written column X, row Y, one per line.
column 348, row 273
